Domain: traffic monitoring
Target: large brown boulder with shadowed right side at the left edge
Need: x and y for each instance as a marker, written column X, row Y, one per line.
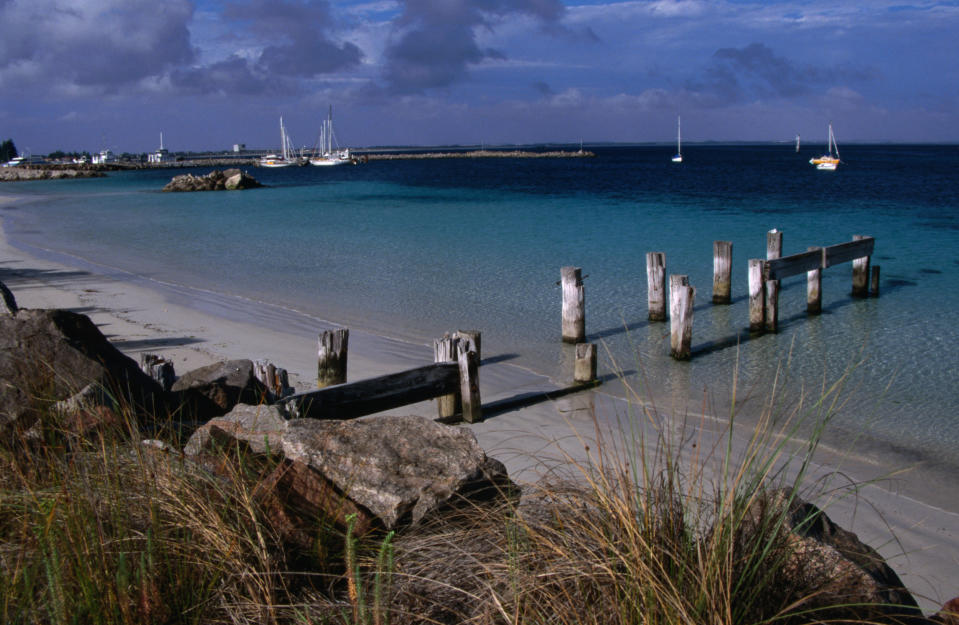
column 47, row 356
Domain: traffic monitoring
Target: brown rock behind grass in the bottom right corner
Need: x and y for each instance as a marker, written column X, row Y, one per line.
column 828, row 566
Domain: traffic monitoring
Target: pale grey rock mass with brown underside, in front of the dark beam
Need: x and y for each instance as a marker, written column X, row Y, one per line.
column 398, row 469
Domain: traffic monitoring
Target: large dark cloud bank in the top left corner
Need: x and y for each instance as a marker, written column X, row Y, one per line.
column 99, row 44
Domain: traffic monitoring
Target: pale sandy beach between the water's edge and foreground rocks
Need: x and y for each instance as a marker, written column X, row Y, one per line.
column 194, row 328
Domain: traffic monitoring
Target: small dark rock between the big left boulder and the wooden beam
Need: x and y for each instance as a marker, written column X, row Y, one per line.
column 214, row 390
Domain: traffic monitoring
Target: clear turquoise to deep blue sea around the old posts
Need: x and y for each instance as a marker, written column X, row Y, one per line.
column 416, row 248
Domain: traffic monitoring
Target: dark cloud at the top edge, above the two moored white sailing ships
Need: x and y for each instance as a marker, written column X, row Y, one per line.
column 298, row 34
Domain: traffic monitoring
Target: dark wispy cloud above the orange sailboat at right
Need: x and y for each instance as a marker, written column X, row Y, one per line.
column 756, row 71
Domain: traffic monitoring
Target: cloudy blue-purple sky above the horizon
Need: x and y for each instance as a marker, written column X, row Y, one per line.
column 91, row 74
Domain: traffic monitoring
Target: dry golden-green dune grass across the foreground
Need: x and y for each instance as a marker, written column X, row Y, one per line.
column 662, row 529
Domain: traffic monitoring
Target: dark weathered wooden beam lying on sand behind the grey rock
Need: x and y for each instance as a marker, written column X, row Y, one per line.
column 347, row 401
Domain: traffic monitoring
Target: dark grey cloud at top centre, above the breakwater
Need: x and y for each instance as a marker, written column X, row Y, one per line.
column 435, row 41
